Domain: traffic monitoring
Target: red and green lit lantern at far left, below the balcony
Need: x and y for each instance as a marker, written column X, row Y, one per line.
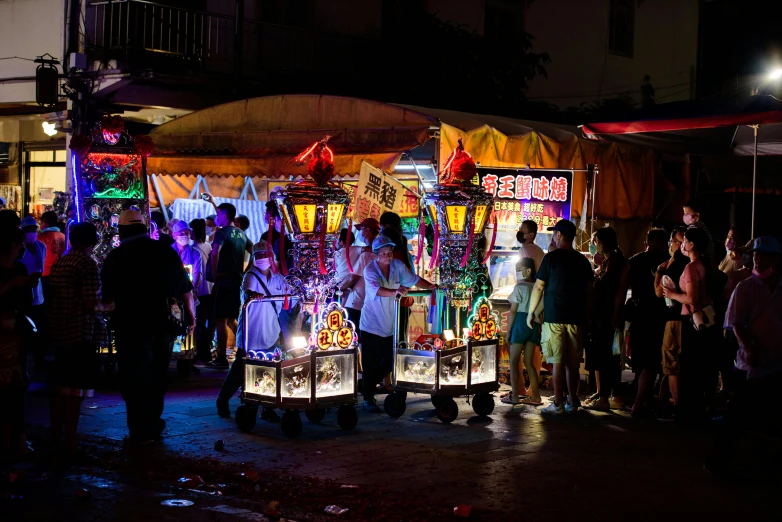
column 109, row 176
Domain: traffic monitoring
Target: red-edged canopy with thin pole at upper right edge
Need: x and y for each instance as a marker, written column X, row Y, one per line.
column 689, row 119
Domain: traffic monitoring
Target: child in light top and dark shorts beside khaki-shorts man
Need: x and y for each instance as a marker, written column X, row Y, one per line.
column 523, row 338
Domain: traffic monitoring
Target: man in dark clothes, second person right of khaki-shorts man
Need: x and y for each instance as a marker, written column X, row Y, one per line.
column 647, row 315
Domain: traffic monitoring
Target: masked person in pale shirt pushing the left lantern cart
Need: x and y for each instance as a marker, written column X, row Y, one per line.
column 260, row 330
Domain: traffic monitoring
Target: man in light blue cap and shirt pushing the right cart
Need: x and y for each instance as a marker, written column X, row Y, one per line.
column 385, row 280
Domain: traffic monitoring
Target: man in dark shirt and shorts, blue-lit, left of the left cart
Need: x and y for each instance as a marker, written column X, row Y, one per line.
column 227, row 263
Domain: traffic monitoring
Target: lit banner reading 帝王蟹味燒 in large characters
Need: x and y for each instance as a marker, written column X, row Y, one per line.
column 542, row 196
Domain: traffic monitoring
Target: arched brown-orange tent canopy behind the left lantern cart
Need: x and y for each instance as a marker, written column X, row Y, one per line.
column 257, row 137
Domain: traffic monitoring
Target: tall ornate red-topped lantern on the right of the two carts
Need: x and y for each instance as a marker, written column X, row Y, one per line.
column 459, row 212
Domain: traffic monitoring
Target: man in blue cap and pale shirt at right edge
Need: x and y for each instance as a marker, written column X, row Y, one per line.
column 755, row 316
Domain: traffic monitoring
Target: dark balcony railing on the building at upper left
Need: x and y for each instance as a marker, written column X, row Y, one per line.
column 120, row 28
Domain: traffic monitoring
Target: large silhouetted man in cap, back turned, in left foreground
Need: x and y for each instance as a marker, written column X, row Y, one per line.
column 141, row 276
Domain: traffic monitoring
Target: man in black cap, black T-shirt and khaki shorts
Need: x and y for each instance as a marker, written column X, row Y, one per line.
column 566, row 276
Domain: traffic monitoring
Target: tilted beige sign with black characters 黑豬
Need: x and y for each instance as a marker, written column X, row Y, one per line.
column 378, row 192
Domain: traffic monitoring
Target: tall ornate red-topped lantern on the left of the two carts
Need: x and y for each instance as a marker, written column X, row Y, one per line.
column 313, row 211
